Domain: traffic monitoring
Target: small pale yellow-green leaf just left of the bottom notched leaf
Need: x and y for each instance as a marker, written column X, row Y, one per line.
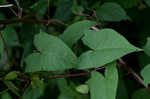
column 83, row 89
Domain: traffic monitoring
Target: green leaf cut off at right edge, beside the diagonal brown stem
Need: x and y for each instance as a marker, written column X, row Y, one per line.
column 145, row 74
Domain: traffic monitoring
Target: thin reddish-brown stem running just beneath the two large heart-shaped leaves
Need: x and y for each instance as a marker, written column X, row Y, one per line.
column 72, row 75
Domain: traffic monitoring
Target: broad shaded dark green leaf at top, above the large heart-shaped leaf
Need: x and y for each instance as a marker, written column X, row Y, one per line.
column 111, row 12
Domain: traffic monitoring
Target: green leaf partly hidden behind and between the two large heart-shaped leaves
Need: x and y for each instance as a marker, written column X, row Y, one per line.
column 75, row 31
